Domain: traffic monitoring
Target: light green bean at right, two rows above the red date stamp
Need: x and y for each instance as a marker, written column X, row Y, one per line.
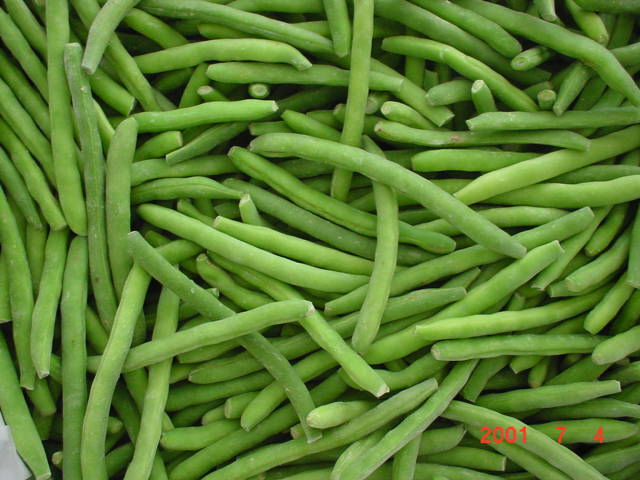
column 507, row 321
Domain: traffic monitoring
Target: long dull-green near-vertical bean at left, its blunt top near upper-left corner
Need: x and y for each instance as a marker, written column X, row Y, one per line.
column 94, row 177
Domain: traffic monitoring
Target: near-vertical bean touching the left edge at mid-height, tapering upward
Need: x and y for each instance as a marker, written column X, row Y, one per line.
column 20, row 290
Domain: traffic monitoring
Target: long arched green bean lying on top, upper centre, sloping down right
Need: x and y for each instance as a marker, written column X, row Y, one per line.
column 393, row 175
